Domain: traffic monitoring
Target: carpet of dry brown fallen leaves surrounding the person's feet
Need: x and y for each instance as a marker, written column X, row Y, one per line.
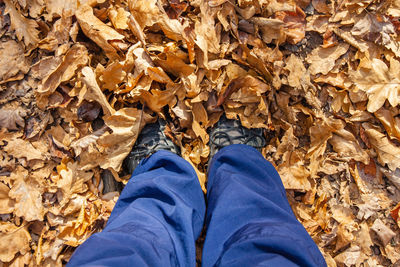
column 79, row 79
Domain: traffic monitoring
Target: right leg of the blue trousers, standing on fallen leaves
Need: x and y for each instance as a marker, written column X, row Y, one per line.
column 249, row 221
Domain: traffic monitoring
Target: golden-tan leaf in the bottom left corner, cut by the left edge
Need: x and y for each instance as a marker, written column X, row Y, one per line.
column 13, row 239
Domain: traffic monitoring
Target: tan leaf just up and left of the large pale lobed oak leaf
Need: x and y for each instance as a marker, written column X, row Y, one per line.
column 322, row 60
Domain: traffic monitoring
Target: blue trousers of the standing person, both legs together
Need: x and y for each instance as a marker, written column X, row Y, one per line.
column 161, row 212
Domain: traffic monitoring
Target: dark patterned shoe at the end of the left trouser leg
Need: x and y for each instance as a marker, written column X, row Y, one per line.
column 151, row 139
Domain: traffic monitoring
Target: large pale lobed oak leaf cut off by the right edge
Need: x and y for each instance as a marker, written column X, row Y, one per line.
column 379, row 82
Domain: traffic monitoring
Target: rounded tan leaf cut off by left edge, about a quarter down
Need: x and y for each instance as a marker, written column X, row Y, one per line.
column 12, row 61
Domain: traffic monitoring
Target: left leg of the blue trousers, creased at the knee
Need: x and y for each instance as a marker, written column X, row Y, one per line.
column 156, row 220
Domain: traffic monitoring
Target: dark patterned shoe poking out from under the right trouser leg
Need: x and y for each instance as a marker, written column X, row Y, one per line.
column 229, row 132
